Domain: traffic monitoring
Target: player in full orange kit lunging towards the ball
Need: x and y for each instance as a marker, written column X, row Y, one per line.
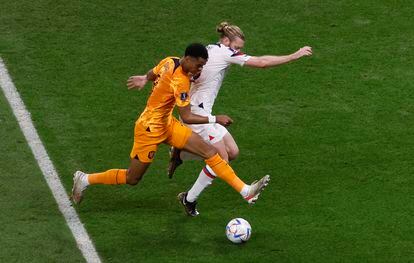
column 156, row 125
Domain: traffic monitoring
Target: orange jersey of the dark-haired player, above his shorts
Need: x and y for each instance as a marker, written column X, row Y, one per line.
column 171, row 88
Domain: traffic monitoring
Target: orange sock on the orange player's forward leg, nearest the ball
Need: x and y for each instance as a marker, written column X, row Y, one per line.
column 225, row 172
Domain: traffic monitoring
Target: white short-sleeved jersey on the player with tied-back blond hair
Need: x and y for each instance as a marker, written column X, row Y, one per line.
column 205, row 88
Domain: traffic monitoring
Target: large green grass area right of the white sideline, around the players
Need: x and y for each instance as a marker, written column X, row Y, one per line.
column 334, row 131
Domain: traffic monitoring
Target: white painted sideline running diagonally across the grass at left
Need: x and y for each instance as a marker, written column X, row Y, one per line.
column 46, row 166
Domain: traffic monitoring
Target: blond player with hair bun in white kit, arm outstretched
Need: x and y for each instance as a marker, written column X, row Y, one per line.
column 203, row 93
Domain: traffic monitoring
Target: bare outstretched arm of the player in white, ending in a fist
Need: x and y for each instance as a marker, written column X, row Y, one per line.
column 272, row 61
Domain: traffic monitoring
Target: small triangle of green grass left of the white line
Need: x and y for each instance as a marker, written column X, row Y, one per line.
column 33, row 229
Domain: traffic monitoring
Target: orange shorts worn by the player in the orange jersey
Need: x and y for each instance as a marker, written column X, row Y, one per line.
column 146, row 142
